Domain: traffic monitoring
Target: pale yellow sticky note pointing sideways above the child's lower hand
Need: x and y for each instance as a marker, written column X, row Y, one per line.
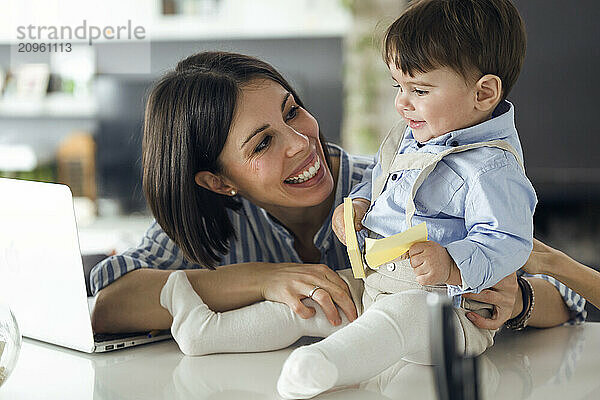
column 381, row 251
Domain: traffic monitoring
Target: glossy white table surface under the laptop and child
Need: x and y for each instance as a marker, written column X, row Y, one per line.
column 558, row 363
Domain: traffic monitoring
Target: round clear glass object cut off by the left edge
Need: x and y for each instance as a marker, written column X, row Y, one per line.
column 10, row 342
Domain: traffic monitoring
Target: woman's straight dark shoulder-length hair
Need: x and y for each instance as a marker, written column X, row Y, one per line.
column 188, row 116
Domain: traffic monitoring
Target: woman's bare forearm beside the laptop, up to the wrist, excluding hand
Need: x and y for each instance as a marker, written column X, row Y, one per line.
column 131, row 303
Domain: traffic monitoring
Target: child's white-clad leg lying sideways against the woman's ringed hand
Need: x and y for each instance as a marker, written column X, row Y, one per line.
column 262, row 326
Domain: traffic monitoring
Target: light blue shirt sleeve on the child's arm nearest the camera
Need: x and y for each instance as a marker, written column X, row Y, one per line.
column 499, row 207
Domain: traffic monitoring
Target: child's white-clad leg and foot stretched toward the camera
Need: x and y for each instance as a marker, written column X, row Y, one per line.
column 395, row 326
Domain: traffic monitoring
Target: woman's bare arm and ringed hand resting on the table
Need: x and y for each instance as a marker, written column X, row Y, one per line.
column 131, row 303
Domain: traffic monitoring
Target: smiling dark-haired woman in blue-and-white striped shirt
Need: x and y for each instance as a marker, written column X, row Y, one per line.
column 227, row 157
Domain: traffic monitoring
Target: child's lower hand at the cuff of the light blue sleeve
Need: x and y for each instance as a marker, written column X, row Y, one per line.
column 432, row 264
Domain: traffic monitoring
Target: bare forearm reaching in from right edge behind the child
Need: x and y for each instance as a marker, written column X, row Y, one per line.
column 549, row 261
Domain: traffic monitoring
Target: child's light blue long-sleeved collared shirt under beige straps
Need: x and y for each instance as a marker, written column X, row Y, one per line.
column 478, row 204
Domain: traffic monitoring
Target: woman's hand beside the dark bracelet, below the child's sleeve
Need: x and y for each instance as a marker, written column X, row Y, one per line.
column 506, row 298
